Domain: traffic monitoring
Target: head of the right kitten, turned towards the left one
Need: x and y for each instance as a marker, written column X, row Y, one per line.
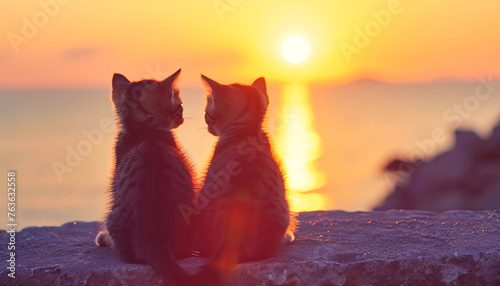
column 235, row 108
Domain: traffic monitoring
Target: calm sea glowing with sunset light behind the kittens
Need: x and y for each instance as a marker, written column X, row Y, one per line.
column 333, row 140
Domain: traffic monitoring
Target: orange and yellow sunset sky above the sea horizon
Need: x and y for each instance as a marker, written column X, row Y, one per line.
column 79, row 44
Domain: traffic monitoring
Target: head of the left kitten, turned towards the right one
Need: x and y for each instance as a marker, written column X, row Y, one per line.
column 147, row 104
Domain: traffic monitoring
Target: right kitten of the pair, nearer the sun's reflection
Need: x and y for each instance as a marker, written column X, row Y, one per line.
column 244, row 214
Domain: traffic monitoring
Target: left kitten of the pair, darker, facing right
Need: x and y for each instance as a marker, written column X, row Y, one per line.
column 151, row 178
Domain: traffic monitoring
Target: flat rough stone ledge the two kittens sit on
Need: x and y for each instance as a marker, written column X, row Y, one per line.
column 331, row 248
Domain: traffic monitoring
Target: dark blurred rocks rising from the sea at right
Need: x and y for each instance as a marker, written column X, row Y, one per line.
column 465, row 177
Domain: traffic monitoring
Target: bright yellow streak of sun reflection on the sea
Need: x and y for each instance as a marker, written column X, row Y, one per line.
column 300, row 147
